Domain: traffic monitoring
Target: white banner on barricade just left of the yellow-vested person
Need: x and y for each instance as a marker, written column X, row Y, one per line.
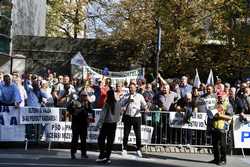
column 197, row 121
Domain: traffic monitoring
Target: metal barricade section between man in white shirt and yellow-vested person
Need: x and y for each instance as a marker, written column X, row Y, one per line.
column 163, row 134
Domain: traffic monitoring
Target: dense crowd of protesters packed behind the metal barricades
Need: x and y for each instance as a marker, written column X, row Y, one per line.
column 52, row 90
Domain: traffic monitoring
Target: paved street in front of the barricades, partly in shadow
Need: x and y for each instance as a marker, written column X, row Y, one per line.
column 56, row 158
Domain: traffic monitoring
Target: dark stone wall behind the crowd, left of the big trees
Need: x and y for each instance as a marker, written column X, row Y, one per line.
column 44, row 53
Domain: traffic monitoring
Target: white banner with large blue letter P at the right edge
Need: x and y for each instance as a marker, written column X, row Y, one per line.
column 241, row 133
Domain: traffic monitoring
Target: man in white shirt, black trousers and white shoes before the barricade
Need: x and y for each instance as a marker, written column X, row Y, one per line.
column 132, row 104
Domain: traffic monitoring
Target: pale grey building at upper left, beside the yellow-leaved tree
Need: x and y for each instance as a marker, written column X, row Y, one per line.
column 19, row 17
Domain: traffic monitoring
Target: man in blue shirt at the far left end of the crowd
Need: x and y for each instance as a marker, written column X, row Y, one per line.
column 9, row 93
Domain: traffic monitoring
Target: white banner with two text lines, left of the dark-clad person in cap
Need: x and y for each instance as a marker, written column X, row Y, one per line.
column 38, row 115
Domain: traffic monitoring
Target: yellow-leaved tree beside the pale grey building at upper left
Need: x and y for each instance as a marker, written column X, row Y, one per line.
column 67, row 18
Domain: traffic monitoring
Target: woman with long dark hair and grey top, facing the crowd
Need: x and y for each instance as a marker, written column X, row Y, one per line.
column 109, row 117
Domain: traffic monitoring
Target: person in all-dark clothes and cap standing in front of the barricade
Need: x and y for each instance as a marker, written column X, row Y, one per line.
column 79, row 109
